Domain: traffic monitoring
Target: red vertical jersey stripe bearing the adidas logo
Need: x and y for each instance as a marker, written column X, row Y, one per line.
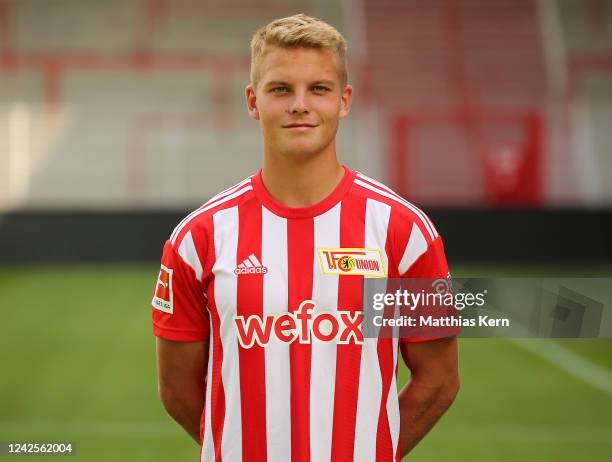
column 252, row 360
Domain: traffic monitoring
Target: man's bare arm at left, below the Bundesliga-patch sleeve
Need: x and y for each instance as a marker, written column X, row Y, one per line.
column 181, row 368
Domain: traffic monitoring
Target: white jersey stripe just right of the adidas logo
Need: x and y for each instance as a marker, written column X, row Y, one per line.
column 277, row 362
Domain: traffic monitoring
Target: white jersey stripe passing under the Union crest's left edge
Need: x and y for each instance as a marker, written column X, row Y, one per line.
column 323, row 354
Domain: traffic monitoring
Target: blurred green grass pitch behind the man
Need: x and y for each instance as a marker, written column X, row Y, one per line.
column 77, row 356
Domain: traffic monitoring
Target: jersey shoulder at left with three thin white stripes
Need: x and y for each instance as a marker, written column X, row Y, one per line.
column 196, row 221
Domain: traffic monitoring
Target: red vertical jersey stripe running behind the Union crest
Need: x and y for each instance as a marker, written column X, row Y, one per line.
column 352, row 222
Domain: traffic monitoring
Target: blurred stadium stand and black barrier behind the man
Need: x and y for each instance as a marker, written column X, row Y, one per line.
column 122, row 115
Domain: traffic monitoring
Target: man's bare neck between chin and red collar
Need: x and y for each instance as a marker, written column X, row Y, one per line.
column 301, row 183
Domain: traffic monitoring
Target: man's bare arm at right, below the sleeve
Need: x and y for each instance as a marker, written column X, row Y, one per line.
column 432, row 388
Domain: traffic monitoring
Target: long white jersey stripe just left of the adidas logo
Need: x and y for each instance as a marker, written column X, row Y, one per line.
column 226, row 245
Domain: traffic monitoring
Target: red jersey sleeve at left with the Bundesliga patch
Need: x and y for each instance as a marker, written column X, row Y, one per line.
column 179, row 308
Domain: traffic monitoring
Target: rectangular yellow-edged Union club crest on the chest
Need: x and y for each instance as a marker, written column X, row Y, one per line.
column 352, row 261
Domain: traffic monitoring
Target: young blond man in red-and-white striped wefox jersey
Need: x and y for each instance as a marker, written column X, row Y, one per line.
column 249, row 363
